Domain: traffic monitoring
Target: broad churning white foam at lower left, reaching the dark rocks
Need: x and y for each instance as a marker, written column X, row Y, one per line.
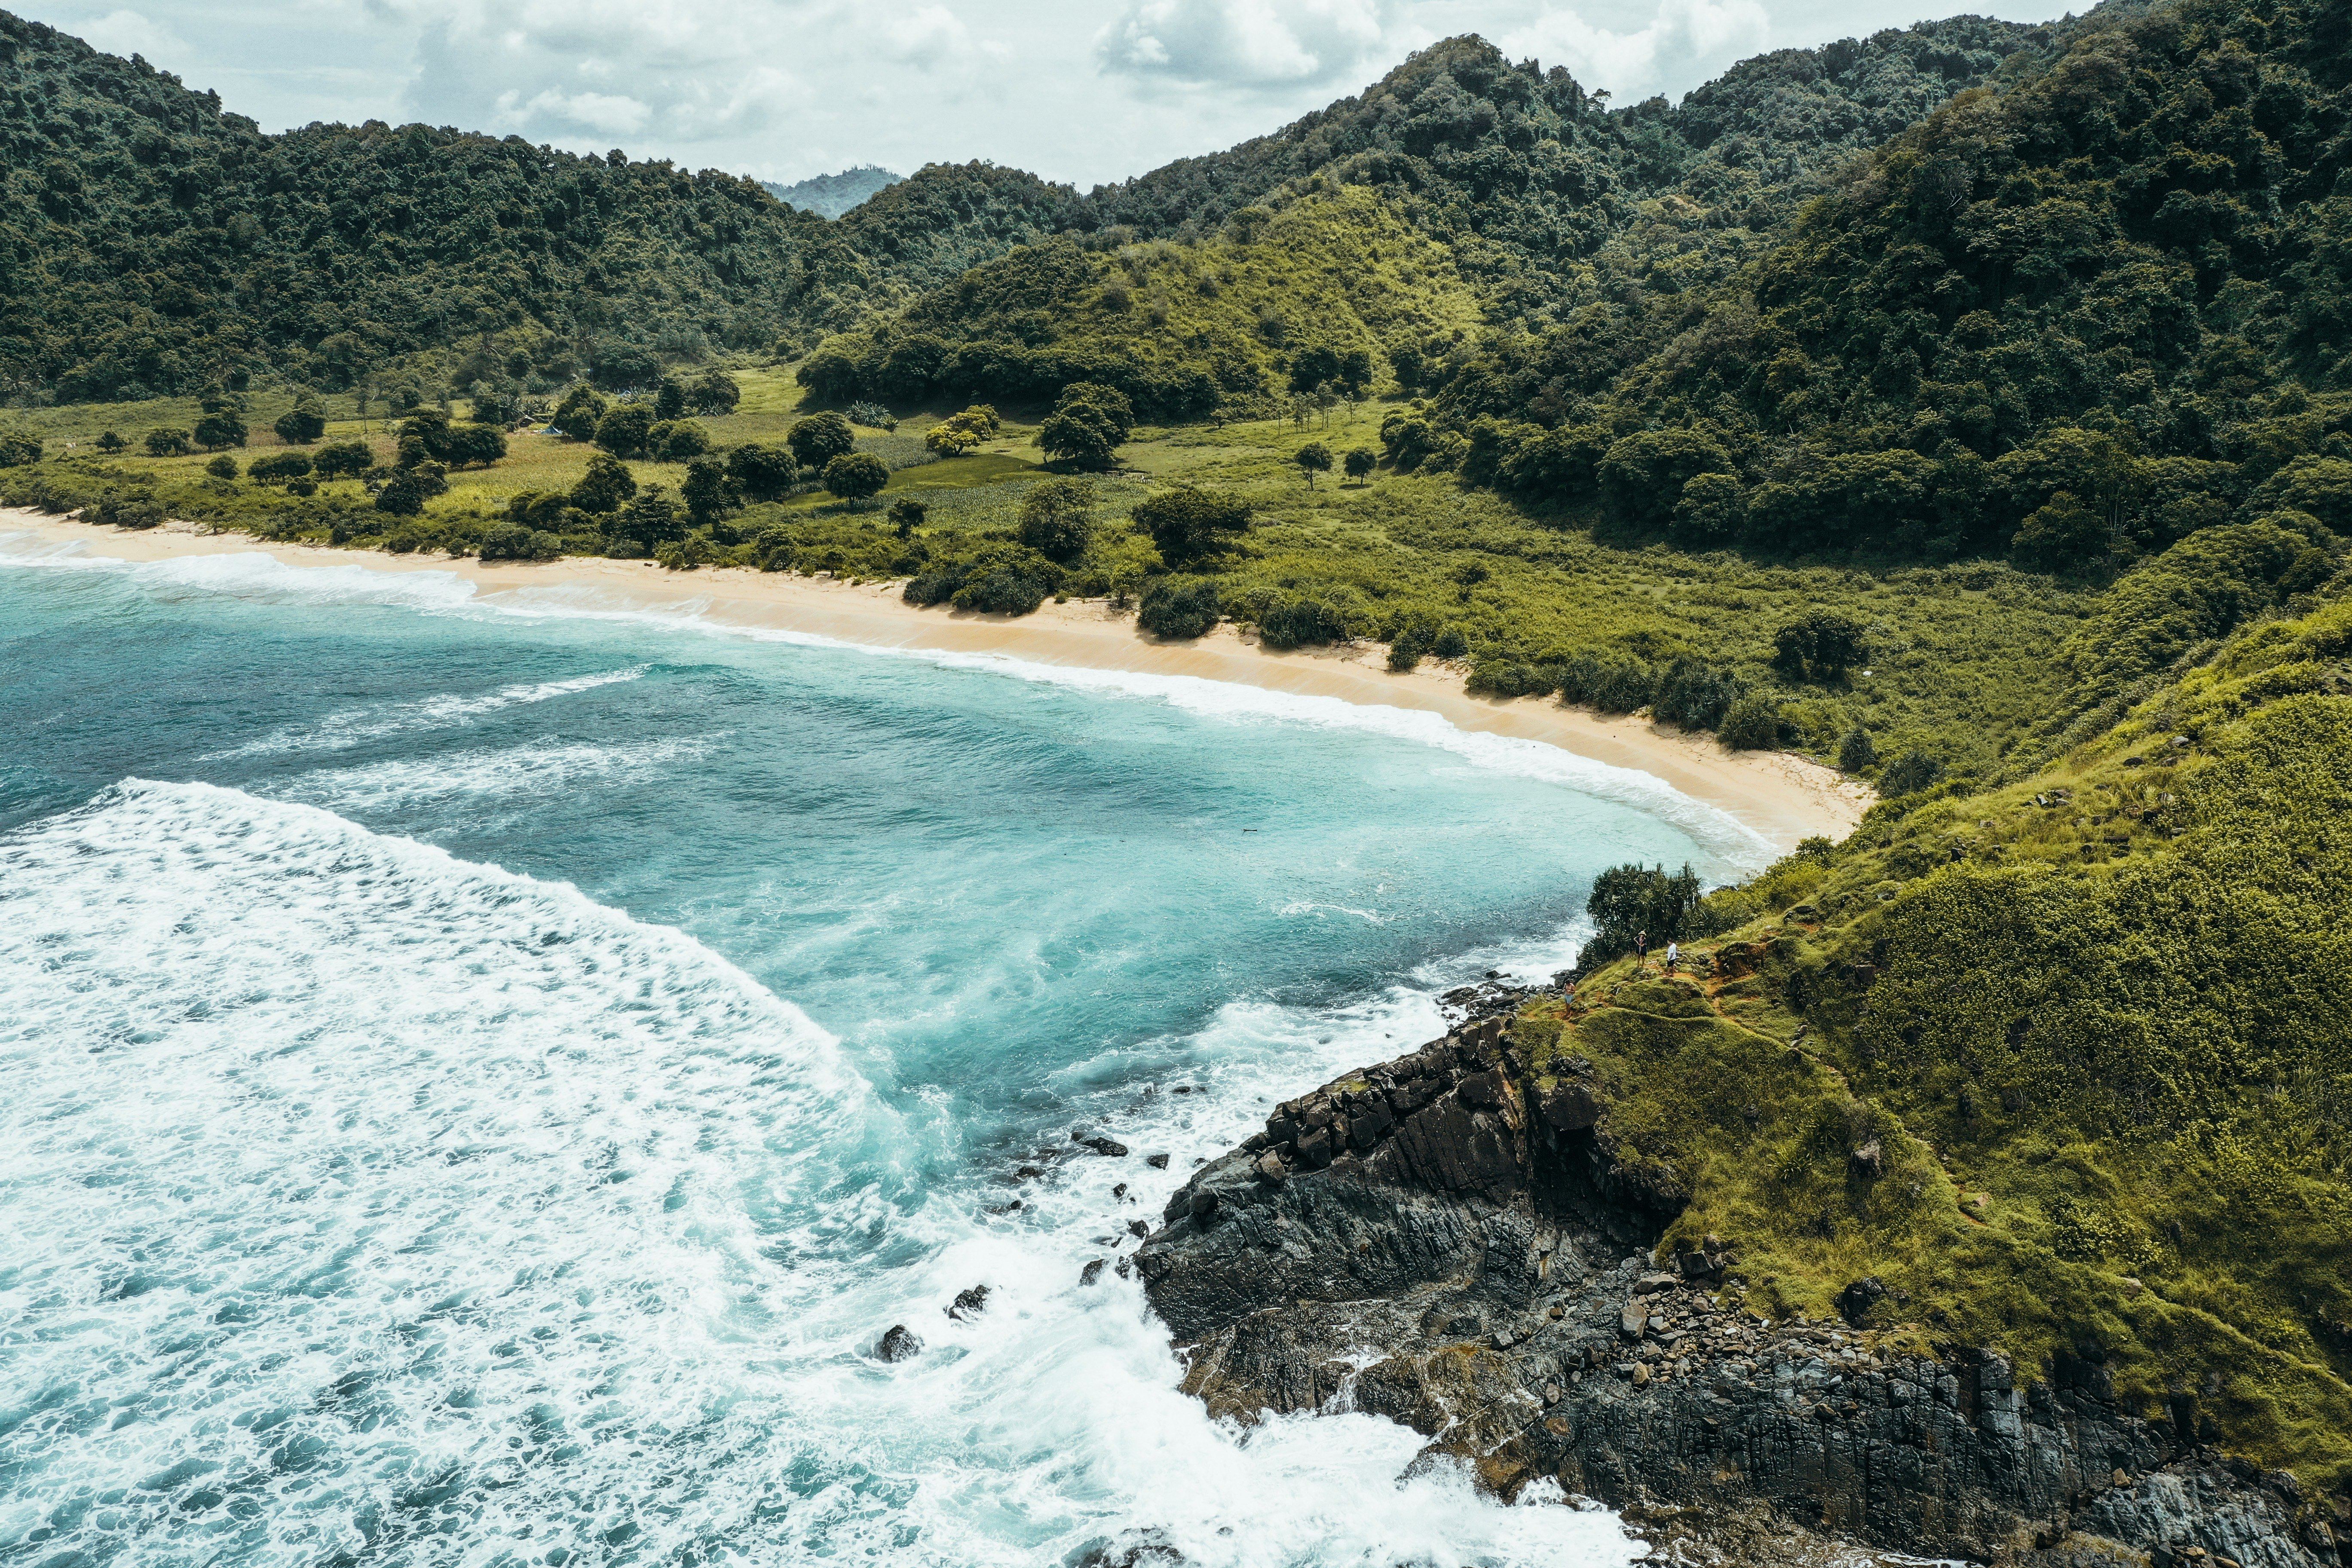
column 373, row 1202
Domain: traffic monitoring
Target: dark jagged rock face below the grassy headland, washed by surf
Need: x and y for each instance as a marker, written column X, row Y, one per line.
column 1443, row 1242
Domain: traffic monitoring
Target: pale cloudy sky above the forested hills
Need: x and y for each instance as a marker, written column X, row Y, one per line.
column 1074, row 91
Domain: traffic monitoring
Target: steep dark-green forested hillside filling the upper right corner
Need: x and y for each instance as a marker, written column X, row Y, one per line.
column 2078, row 316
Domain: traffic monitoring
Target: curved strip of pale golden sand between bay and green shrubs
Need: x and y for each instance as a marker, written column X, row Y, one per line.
column 1777, row 796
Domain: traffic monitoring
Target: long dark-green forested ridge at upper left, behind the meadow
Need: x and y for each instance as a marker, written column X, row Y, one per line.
column 154, row 243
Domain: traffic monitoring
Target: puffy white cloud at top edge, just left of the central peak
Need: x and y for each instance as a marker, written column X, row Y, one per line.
column 1259, row 43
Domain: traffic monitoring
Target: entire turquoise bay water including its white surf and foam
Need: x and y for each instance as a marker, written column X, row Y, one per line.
column 481, row 1078
